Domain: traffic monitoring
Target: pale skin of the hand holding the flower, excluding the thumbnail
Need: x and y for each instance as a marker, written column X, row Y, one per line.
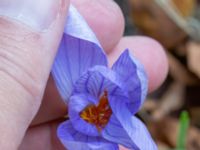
column 28, row 121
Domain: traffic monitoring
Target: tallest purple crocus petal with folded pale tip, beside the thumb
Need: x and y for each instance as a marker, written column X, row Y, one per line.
column 78, row 51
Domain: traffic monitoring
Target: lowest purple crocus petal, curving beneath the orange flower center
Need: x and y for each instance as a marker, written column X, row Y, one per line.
column 73, row 140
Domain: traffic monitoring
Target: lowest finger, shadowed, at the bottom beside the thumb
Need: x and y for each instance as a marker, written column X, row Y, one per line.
column 44, row 137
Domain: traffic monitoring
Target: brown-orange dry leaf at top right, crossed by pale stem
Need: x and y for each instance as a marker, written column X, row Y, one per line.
column 153, row 21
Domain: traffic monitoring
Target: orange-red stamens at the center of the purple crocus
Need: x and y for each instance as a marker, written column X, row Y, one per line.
column 98, row 115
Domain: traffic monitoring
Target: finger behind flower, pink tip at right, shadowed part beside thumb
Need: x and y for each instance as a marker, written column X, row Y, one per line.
column 148, row 51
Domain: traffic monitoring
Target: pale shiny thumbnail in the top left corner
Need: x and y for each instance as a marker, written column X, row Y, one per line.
column 39, row 14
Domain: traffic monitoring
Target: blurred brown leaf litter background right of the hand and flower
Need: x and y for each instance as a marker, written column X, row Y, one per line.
column 175, row 24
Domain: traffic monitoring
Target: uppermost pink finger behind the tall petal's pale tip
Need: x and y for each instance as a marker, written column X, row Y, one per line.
column 105, row 18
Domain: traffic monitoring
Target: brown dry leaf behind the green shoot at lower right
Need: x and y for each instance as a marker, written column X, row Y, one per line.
column 166, row 131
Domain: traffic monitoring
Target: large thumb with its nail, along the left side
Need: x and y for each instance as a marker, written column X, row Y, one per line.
column 30, row 32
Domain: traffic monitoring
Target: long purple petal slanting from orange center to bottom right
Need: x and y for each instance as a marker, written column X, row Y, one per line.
column 135, row 129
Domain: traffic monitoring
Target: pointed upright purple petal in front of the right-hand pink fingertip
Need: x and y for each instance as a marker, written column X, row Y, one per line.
column 134, row 79
